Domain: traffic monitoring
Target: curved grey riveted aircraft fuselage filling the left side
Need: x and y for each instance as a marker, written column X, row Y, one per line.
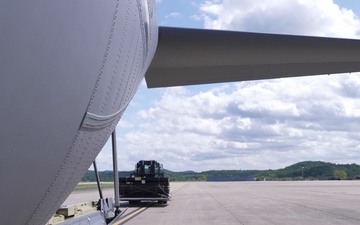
column 68, row 71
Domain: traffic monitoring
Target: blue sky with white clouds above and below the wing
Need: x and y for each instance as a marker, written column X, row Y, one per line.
column 267, row 124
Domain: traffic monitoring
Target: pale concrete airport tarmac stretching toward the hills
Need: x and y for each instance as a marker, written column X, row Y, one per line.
column 271, row 202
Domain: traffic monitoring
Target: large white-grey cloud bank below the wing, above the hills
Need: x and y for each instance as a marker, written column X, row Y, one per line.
column 252, row 124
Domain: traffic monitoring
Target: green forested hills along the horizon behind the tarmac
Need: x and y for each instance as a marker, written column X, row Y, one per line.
column 303, row 170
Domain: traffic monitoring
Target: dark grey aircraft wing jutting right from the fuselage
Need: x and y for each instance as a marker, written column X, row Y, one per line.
column 191, row 56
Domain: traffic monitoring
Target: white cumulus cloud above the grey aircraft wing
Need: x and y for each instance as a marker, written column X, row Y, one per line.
column 311, row 17
